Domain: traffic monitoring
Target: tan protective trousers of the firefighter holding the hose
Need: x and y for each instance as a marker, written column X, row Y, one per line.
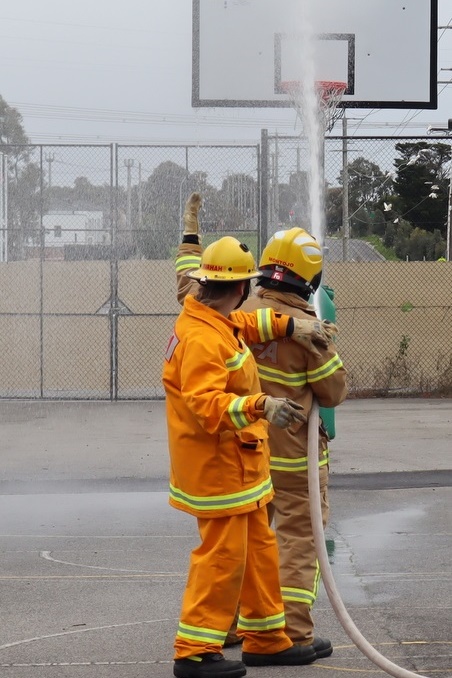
column 299, row 568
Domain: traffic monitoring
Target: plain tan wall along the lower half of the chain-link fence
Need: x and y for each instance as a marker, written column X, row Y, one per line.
column 395, row 322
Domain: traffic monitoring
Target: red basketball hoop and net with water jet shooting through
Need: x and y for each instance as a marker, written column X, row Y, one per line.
column 329, row 93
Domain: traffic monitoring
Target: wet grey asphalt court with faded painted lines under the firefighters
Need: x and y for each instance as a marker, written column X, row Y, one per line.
column 93, row 560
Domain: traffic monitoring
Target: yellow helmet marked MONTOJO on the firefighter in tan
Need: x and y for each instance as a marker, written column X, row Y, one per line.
column 294, row 257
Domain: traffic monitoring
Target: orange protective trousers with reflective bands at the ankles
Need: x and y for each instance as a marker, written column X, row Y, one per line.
column 236, row 560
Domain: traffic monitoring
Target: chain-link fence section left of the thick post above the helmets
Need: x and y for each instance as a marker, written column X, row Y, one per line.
column 87, row 241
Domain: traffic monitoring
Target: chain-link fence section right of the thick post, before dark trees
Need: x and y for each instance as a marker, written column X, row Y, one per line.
column 383, row 196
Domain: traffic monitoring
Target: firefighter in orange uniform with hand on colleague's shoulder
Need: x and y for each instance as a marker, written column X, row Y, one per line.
column 220, row 467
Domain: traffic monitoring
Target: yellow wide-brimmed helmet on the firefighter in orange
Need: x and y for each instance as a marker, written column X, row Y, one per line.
column 226, row 260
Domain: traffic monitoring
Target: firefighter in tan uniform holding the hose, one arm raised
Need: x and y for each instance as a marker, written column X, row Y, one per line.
column 291, row 265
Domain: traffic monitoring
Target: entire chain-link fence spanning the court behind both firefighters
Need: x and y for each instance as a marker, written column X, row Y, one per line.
column 88, row 236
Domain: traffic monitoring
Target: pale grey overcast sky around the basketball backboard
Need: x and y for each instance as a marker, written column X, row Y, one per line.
column 103, row 70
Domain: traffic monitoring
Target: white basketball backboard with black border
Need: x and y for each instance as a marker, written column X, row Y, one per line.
column 385, row 50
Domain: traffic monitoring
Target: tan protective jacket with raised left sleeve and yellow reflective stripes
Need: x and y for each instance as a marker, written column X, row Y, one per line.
column 285, row 369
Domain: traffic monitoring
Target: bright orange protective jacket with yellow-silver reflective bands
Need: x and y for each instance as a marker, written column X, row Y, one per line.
column 220, row 460
